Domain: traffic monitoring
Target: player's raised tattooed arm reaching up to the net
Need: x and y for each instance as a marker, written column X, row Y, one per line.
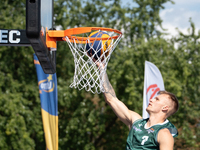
column 123, row 113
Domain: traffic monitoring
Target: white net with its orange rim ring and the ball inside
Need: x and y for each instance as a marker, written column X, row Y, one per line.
column 93, row 47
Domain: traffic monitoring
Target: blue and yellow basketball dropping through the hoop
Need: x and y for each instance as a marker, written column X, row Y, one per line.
column 98, row 47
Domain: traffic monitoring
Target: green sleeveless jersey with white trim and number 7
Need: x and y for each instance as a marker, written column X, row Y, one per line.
column 142, row 138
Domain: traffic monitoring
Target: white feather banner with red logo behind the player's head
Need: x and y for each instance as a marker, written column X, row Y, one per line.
column 153, row 83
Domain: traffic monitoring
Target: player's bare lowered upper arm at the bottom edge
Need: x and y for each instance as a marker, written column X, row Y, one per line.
column 165, row 140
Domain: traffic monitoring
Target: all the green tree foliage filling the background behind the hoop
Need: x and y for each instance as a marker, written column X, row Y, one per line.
column 85, row 120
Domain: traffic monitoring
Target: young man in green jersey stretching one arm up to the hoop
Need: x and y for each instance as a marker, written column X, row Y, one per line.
column 153, row 133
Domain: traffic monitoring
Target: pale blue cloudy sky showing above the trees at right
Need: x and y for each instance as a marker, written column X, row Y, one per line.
column 177, row 15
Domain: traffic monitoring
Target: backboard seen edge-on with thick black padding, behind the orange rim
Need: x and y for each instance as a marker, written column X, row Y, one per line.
column 39, row 19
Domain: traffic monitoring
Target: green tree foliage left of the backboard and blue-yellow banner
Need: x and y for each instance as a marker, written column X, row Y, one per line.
column 20, row 124
